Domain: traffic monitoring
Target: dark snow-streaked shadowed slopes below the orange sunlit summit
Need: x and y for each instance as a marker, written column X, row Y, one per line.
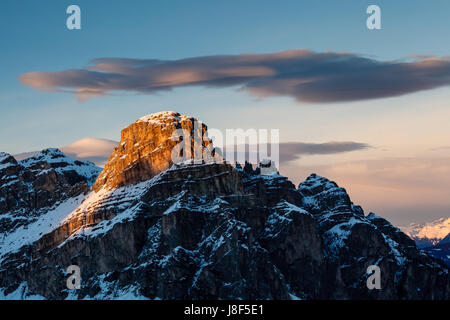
column 212, row 231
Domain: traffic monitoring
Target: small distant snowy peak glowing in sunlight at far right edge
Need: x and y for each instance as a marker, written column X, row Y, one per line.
column 431, row 232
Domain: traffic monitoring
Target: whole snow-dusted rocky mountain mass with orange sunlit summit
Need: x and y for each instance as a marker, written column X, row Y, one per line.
column 150, row 228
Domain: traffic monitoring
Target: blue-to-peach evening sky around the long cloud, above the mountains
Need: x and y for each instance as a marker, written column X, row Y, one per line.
column 402, row 177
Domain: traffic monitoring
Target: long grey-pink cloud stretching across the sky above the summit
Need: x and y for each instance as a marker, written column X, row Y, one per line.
column 304, row 75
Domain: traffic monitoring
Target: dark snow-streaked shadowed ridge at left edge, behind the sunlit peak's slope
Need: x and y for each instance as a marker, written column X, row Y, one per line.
column 42, row 180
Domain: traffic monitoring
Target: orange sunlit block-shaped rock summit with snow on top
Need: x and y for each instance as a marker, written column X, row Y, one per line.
column 148, row 146
